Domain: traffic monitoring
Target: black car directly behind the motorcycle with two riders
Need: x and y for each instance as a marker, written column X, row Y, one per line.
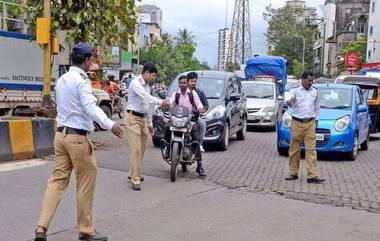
column 227, row 114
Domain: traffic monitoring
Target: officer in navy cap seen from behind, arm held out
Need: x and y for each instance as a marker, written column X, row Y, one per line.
column 77, row 110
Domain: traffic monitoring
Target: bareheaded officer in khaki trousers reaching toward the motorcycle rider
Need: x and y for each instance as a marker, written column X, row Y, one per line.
column 139, row 120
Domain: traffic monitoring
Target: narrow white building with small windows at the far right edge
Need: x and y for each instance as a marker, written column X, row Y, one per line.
column 373, row 54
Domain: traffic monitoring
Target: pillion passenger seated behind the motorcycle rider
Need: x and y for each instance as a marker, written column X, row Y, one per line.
column 192, row 78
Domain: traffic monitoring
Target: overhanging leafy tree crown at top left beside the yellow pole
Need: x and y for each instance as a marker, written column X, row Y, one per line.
column 103, row 23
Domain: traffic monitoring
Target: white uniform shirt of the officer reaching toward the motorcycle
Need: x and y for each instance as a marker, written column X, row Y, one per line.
column 140, row 99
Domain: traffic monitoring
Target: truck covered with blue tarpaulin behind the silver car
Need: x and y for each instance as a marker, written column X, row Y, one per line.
column 268, row 68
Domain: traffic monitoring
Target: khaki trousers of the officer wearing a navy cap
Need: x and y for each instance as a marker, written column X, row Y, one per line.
column 72, row 152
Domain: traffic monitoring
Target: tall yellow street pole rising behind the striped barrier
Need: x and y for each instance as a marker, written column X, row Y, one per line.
column 46, row 100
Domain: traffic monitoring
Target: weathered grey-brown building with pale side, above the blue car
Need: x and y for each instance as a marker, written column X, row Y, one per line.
column 343, row 21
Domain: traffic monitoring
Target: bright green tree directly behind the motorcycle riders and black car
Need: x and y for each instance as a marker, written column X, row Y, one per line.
column 171, row 59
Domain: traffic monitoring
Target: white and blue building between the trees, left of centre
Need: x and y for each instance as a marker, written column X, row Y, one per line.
column 150, row 24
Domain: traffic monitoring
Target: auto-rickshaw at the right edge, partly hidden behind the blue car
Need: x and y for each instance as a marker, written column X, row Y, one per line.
column 370, row 87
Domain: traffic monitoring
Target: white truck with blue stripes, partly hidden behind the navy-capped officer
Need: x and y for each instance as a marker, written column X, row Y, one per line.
column 21, row 77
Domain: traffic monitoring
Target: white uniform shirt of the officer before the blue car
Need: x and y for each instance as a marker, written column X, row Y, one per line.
column 305, row 103
